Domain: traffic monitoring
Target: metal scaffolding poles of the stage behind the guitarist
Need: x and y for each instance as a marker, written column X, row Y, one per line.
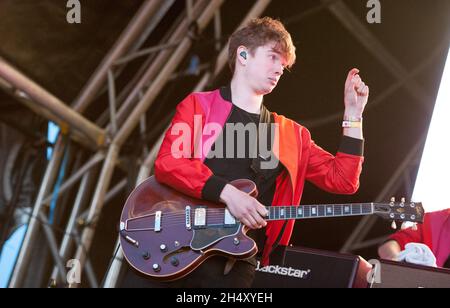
column 101, row 141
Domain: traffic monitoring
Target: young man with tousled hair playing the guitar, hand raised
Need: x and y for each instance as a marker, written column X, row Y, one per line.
column 258, row 55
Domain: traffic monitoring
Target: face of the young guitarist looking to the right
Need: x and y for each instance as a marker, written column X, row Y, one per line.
column 264, row 69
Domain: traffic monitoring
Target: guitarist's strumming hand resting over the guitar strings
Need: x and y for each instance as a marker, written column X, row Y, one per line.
column 244, row 207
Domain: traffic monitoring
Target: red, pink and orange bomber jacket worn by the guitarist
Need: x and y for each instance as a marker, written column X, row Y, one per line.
column 302, row 158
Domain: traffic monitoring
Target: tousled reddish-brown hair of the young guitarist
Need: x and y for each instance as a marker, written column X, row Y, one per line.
column 259, row 32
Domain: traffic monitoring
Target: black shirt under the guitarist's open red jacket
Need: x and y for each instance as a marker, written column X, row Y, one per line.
column 247, row 166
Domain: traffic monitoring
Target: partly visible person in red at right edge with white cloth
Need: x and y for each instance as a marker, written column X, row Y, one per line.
column 431, row 239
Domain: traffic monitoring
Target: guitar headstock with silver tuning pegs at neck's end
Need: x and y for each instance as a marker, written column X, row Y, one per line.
column 400, row 211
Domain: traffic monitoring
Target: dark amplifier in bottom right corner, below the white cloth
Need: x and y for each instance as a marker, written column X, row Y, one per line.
column 391, row 274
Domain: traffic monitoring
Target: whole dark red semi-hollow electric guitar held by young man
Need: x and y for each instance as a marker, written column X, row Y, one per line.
column 165, row 234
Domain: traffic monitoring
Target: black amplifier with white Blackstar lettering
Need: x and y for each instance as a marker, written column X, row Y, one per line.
column 309, row 268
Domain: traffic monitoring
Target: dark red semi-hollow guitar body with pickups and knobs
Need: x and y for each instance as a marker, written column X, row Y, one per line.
column 166, row 234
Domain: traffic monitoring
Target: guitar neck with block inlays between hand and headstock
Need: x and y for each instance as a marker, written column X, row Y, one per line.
column 319, row 211
